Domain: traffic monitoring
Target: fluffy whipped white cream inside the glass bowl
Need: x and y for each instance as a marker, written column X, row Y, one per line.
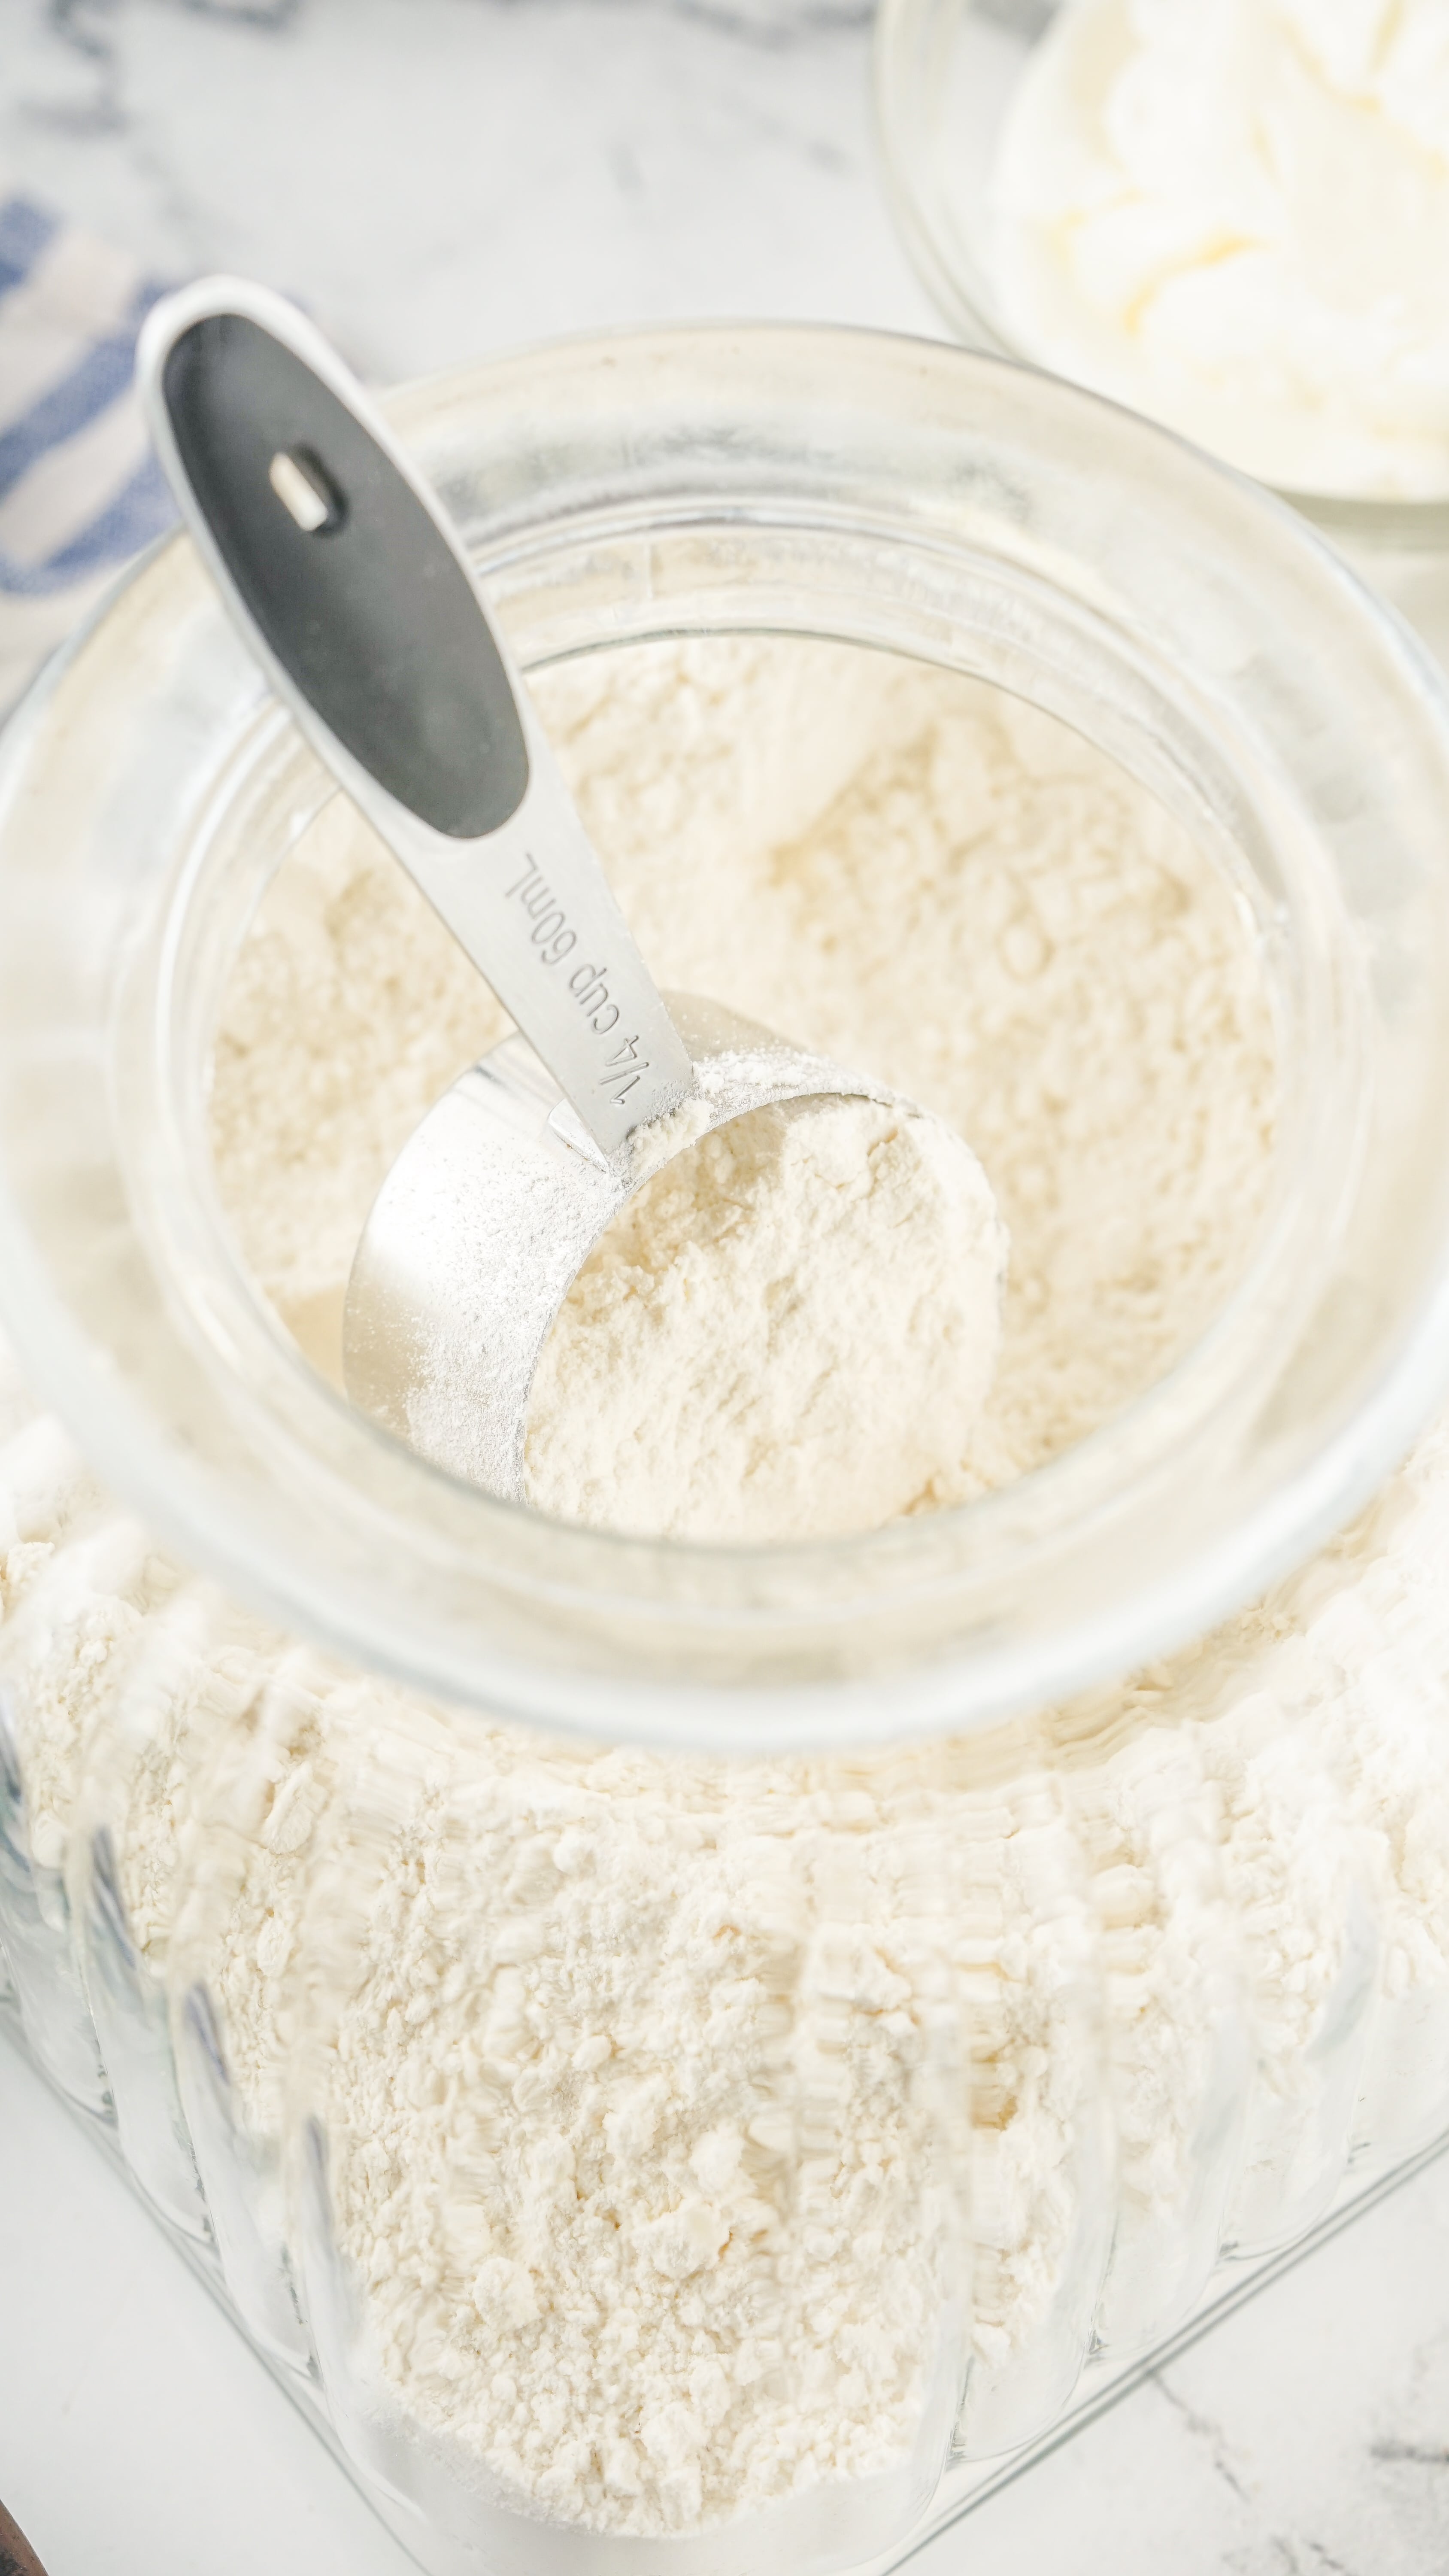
column 1234, row 215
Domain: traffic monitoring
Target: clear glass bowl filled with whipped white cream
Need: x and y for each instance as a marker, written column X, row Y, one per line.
column 1229, row 218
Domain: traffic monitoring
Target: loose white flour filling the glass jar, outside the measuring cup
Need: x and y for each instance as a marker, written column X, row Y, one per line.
column 632, row 2070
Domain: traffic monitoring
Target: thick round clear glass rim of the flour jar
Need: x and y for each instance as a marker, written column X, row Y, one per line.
column 809, row 483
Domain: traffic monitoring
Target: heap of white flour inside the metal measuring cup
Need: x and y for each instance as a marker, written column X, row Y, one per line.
column 789, row 1333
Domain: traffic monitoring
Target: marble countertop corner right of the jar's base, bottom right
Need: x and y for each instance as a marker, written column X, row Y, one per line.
column 1304, row 2438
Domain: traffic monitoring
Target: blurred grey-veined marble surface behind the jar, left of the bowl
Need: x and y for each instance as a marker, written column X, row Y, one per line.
column 447, row 176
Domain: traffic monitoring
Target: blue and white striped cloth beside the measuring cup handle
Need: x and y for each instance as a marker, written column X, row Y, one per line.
column 78, row 483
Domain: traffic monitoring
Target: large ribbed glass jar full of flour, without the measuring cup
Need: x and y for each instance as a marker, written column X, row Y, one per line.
column 673, row 2039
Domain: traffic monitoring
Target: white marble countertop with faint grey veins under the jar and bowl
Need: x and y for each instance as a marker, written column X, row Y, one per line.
column 439, row 179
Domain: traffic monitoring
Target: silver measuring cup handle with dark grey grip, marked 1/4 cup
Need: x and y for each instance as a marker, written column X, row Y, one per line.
column 354, row 594
